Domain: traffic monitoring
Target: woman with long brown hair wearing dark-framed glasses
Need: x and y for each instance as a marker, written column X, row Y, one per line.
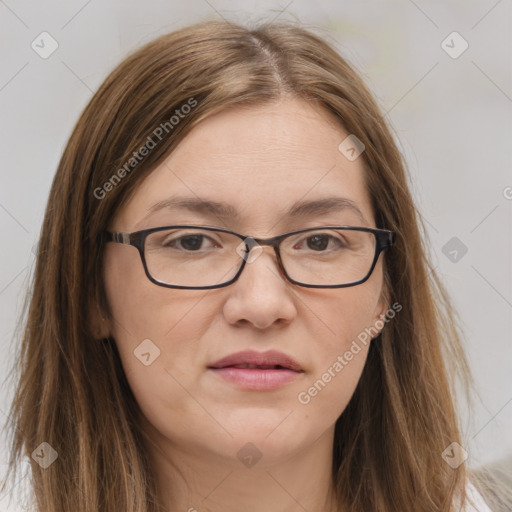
column 180, row 353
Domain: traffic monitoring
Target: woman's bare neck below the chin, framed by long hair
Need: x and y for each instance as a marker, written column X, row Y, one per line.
column 194, row 480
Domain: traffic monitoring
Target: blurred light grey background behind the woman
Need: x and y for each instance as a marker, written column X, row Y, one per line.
column 452, row 117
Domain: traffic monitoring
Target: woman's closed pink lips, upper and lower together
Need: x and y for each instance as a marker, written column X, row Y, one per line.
column 263, row 377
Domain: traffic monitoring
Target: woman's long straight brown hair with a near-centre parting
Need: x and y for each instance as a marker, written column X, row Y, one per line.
column 71, row 391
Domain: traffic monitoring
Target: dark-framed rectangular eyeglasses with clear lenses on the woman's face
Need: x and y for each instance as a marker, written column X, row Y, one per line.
column 203, row 257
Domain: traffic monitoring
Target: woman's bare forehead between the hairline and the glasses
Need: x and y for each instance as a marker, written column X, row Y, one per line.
column 262, row 162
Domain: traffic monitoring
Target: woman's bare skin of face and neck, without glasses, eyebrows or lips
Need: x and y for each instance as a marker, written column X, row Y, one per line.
column 259, row 160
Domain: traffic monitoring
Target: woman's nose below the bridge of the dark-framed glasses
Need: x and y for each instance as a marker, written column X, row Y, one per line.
column 261, row 295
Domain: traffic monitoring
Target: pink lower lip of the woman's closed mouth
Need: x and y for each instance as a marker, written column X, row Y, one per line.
column 255, row 379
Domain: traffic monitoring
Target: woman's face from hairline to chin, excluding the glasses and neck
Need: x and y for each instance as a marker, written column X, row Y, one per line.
column 260, row 162
